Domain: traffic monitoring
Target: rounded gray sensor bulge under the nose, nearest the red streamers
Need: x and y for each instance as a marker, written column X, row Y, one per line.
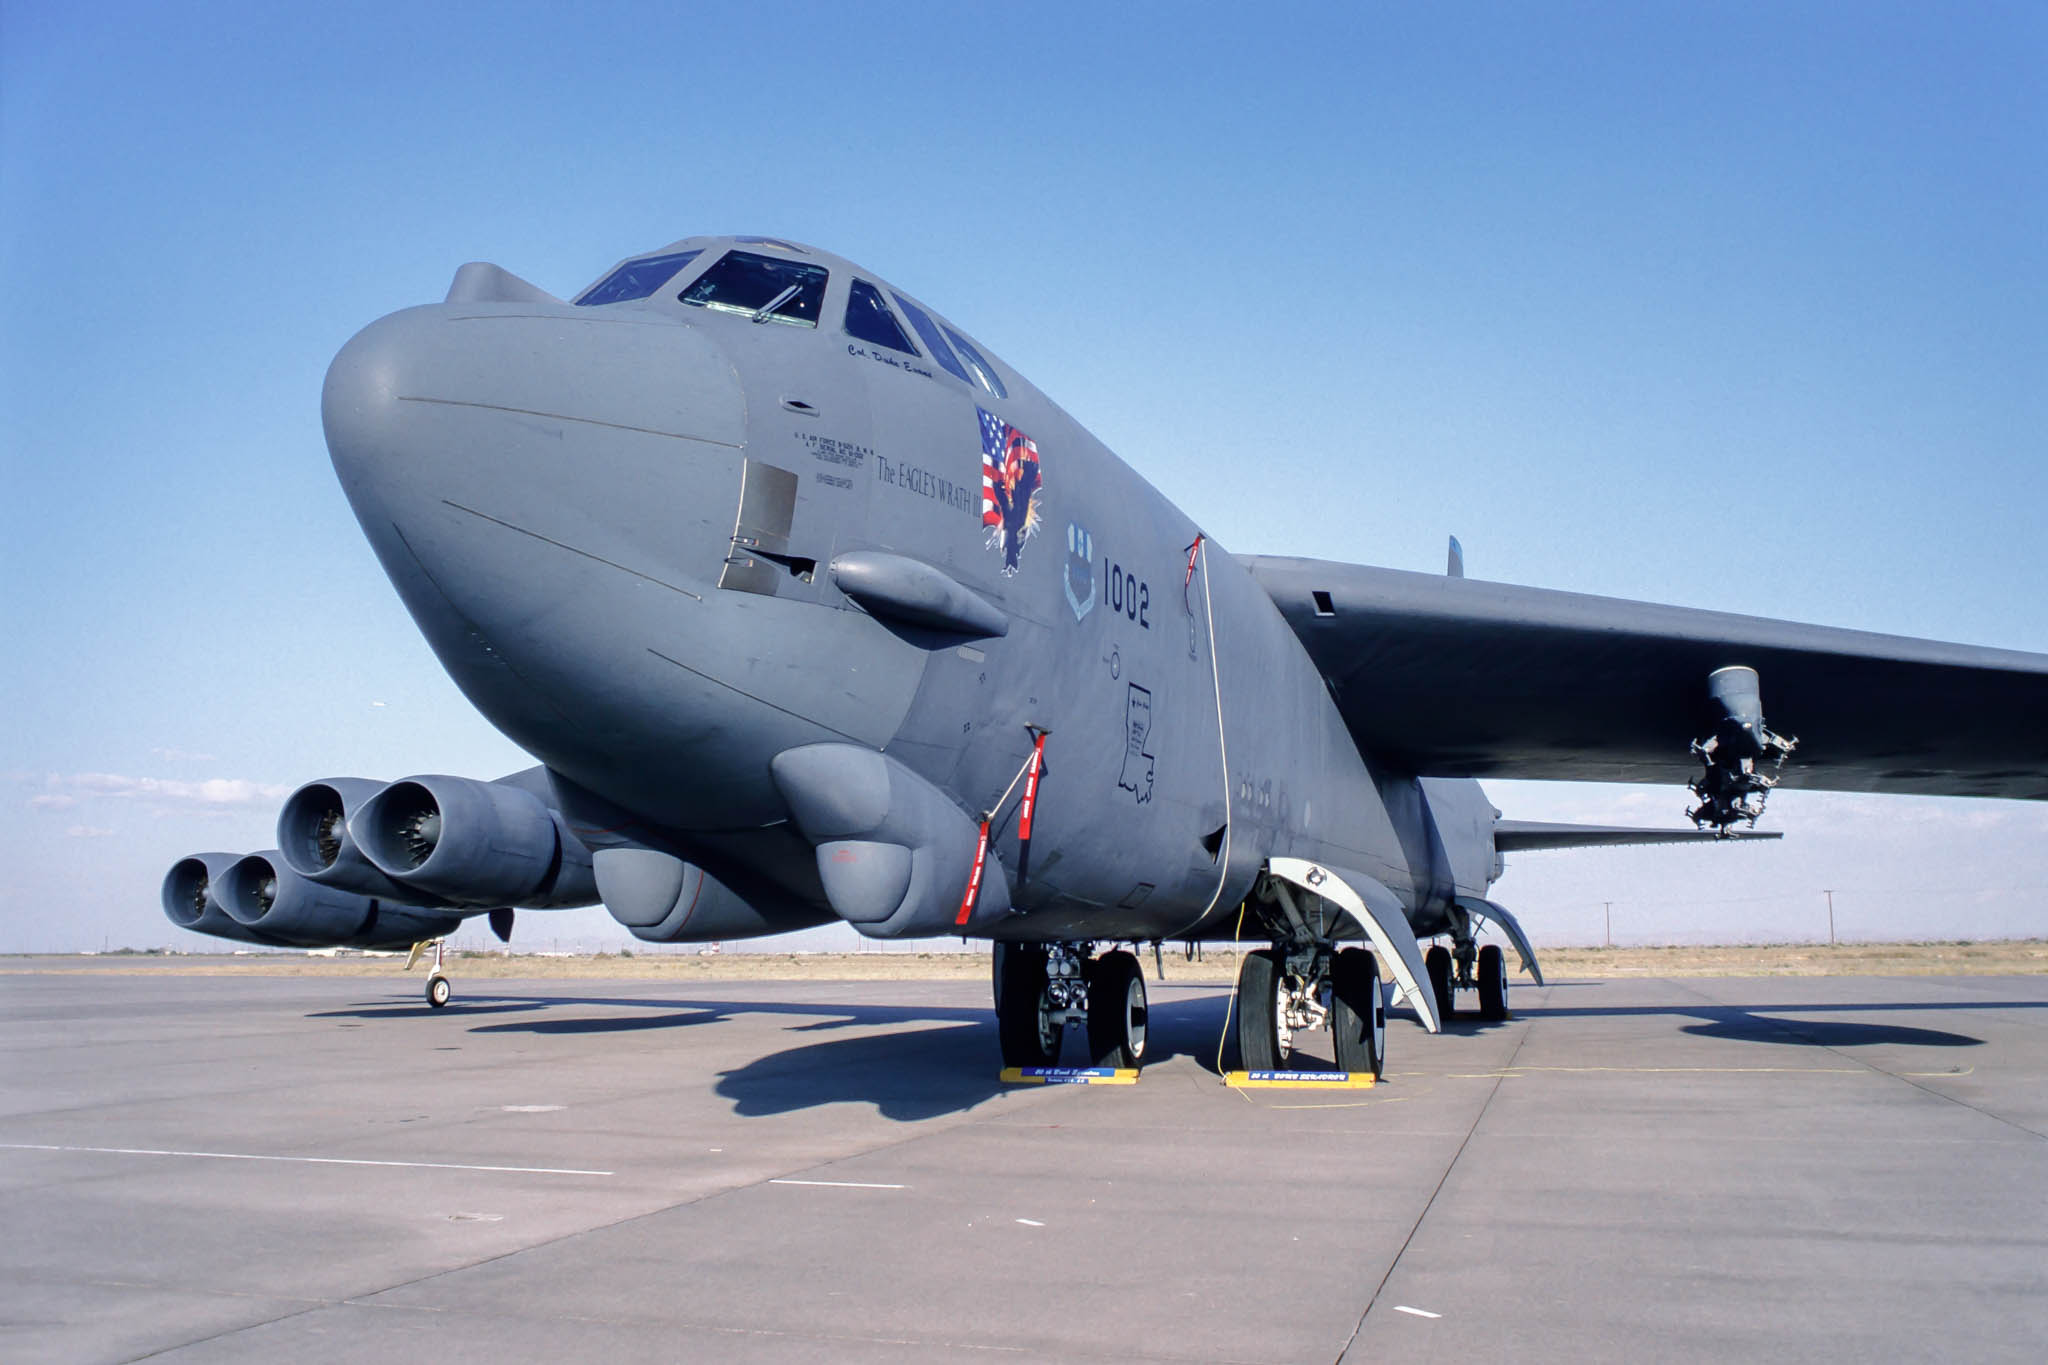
column 894, row 852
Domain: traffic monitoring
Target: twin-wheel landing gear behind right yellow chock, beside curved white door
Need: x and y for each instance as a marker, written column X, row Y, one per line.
column 1291, row 989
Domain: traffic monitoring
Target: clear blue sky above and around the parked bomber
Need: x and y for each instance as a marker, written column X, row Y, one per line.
column 1736, row 306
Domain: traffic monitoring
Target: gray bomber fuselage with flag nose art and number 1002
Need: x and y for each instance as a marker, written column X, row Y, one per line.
column 617, row 527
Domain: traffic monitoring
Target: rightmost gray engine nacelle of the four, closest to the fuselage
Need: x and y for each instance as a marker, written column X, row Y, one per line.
column 478, row 844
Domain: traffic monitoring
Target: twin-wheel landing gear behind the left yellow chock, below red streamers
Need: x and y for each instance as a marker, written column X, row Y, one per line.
column 1046, row 987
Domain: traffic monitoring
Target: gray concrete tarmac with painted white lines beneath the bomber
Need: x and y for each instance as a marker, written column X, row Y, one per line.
column 265, row 1170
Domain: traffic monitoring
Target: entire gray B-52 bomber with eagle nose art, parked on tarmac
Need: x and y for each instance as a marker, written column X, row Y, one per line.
column 812, row 609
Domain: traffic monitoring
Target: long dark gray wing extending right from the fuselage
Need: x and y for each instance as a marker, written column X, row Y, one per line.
column 1461, row 678
